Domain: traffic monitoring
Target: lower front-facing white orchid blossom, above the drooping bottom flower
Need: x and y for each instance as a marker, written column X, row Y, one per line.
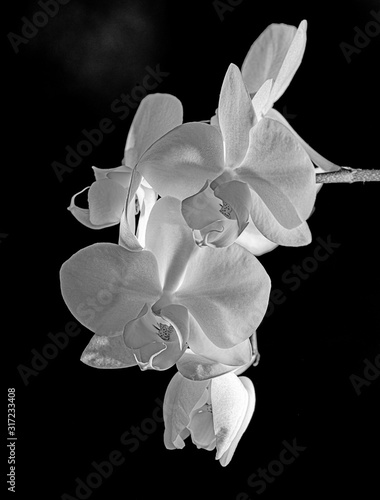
column 169, row 296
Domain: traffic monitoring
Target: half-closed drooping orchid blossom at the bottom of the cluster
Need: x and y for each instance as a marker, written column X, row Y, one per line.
column 215, row 413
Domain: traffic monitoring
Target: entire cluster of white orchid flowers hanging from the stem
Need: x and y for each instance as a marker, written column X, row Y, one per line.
column 183, row 285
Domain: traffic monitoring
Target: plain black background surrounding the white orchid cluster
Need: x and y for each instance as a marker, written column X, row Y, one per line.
column 69, row 415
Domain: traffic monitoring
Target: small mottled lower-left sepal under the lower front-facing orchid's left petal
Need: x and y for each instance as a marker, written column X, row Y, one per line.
column 108, row 352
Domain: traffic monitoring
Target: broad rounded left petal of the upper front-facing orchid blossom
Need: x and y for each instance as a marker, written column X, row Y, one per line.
column 180, row 162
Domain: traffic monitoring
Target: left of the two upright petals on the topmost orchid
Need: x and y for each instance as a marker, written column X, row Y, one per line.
column 266, row 55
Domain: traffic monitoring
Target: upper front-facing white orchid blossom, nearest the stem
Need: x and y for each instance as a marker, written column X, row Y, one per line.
column 244, row 175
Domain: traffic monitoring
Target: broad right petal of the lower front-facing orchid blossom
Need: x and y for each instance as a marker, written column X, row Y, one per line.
column 227, row 292
